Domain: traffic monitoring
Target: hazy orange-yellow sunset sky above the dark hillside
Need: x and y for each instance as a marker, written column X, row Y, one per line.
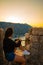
column 22, row 11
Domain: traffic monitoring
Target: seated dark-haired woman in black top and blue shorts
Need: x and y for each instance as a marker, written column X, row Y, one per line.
column 9, row 47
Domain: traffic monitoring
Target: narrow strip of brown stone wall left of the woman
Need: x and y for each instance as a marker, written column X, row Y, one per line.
column 1, row 45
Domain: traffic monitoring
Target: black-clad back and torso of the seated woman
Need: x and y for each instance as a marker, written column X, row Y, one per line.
column 8, row 45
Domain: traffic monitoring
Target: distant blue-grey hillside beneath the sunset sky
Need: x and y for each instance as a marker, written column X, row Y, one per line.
column 19, row 29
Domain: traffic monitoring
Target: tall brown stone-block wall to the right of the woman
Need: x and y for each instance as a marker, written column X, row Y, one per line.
column 36, row 47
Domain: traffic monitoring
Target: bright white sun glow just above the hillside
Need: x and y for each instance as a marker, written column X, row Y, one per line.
column 14, row 19
